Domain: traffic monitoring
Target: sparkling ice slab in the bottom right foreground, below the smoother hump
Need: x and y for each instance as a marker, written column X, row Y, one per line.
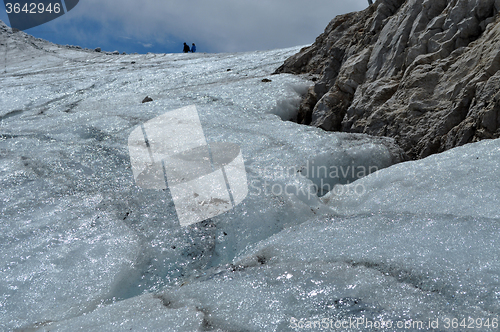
column 382, row 268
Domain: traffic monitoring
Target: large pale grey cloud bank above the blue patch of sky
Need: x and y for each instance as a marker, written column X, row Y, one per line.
column 221, row 25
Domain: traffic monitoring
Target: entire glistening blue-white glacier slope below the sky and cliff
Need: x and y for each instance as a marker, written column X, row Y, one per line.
column 84, row 249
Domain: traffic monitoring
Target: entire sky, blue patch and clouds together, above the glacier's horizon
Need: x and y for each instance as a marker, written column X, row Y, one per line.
column 161, row 26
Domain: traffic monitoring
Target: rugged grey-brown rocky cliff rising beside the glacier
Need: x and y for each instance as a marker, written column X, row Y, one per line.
column 423, row 72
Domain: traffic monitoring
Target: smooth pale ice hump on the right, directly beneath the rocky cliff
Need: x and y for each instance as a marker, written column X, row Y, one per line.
column 459, row 182
